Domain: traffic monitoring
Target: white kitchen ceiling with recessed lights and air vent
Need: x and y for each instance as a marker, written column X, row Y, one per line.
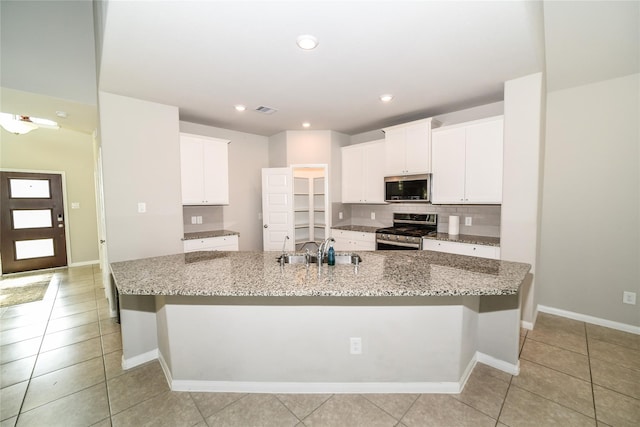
column 207, row 56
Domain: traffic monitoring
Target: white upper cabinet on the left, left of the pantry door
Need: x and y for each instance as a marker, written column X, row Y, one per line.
column 205, row 170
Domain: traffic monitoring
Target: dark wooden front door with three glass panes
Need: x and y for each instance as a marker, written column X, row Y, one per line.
column 32, row 234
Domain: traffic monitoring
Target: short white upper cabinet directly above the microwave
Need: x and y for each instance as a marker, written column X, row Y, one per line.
column 408, row 148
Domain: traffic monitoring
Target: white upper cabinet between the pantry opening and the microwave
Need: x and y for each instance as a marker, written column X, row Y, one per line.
column 363, row 173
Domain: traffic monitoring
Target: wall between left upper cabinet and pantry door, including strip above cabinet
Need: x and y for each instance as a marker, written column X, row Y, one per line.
column 248, row 154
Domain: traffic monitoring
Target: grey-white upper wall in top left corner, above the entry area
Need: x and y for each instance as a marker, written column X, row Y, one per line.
column 48, row 48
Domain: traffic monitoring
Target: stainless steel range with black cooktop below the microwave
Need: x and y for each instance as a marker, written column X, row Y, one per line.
column 407, row 231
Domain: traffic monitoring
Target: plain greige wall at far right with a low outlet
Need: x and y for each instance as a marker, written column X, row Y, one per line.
column 590, row 231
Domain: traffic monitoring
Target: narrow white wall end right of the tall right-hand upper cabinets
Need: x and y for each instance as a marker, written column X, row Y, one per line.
column 522, row 179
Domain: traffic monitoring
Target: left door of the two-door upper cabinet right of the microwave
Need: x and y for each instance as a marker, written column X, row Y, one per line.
column 448, row 164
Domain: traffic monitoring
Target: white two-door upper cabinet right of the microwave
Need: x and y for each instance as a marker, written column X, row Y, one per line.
column 467, row 162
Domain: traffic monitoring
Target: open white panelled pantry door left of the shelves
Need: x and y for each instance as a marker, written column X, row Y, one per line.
column 277, row 209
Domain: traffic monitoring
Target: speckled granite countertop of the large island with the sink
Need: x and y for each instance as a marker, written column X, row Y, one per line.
column 380, row 273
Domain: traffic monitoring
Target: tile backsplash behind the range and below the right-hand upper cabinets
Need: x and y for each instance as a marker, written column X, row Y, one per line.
column 485, row 218
